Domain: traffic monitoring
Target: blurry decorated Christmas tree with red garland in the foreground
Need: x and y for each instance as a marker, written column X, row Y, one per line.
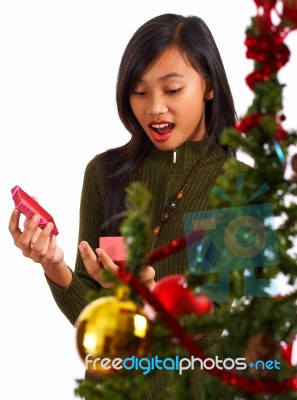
column 257, row 213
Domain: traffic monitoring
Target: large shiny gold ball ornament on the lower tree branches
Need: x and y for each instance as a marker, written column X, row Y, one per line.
column 112, row 328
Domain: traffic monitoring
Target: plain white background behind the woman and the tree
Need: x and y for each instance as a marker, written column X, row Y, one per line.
column 58, row 67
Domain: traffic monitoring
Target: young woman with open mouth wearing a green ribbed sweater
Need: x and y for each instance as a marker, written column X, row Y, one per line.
column 173, row 97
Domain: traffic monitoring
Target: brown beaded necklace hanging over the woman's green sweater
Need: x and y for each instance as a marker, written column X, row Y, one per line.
column 180, row 194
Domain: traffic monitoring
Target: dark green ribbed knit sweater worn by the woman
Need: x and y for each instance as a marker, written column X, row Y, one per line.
column 164, row 179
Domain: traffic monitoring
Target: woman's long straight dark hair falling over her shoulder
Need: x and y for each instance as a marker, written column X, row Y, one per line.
column 193, row 38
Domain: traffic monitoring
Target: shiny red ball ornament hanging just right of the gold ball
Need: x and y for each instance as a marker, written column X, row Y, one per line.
column 175, row 296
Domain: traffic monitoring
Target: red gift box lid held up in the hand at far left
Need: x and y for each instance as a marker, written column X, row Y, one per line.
column 29, row 207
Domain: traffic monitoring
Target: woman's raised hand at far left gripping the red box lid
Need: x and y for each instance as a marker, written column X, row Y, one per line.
column 36, row 244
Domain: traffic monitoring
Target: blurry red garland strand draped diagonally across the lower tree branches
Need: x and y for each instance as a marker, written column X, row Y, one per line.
column 227, row 377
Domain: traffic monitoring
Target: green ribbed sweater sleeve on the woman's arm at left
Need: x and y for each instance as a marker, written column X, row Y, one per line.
column 72, row 300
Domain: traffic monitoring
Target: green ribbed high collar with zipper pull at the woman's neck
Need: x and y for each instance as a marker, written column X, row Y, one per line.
column 186, row 156
